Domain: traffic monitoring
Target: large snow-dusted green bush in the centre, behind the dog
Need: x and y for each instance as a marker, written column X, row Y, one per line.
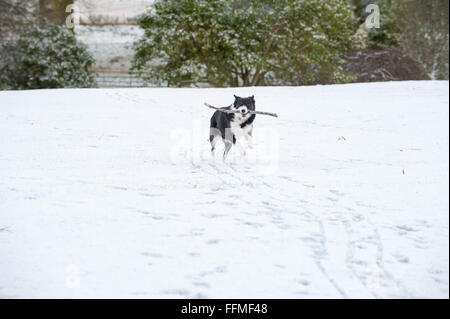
column 241, row 43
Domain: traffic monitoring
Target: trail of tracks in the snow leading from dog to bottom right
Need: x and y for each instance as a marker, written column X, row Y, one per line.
column 233, row 178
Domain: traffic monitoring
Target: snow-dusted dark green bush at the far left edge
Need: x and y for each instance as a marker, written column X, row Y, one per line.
column 37, row 54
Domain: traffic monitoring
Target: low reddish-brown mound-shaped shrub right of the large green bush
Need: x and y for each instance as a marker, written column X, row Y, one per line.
column 378, row 65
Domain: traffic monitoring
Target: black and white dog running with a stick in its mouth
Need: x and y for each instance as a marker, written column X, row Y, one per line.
column 230, row 127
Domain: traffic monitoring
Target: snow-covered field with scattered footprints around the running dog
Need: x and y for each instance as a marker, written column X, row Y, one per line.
column 345, row 195
